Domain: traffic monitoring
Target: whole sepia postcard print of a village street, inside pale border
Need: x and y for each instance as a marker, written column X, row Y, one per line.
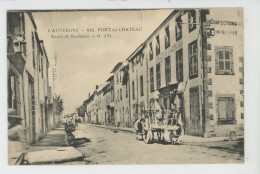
column 125, row 87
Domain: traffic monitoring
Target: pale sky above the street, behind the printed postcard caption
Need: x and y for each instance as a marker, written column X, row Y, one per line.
column 84, row 63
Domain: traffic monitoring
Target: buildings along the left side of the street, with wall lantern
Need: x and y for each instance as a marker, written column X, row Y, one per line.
column 29, row 104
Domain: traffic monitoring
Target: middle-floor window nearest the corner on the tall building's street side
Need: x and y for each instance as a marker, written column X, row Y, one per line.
column 193, row 59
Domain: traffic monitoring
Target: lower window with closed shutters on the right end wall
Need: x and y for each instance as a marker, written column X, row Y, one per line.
column 226, row 110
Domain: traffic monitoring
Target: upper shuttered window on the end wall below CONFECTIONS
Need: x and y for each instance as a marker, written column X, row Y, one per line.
column 224, row 60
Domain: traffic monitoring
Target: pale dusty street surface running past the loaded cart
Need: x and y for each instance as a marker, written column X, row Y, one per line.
column 107, row 146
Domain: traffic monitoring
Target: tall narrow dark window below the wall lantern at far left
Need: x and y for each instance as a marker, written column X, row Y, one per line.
column 13, row 93
